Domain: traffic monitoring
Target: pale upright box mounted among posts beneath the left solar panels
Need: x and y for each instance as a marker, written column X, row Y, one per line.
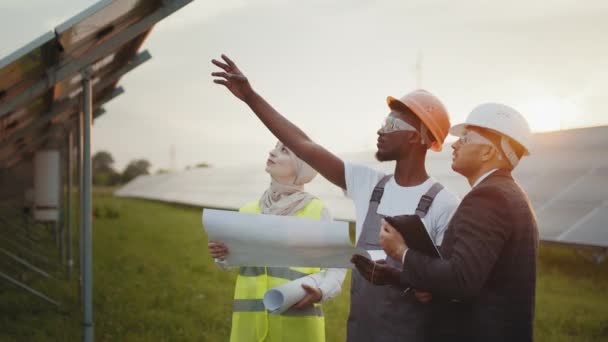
column 46, row 185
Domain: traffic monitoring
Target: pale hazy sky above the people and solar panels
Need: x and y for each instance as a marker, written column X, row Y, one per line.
column 328, row 65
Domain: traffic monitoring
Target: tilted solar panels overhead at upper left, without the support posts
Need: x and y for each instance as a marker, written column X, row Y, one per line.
column 40, row 84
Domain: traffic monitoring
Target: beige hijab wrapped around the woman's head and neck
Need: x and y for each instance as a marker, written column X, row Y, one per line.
column 288, row 199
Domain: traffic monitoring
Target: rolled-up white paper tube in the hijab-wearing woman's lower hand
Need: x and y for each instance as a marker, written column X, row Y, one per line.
column 280, row 298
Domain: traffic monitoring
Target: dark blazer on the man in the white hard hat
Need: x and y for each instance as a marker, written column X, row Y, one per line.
column 489, row 265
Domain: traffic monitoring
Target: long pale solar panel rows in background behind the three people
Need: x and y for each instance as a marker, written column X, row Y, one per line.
column 566, row 178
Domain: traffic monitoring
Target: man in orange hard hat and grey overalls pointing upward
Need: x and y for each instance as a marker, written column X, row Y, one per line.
column 416, row 123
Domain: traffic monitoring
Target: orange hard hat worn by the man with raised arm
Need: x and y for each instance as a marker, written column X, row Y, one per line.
column 429, row 110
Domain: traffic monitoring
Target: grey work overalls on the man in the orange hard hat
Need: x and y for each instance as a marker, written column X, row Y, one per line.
column 386, row 313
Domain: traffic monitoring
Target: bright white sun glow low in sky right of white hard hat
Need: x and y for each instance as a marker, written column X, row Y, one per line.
column 550, row 114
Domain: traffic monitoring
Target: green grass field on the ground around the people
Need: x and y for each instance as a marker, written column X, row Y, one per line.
column 155, row 281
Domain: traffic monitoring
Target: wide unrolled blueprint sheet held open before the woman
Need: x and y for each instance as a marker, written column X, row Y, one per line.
column 280, row 241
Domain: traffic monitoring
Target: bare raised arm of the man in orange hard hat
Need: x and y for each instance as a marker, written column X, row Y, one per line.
column 325, row 162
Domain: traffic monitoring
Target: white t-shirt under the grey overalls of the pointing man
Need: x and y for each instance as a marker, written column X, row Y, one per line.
column 398, row 200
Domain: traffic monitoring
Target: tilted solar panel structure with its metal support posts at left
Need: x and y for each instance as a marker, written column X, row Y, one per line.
column 45, row 100
